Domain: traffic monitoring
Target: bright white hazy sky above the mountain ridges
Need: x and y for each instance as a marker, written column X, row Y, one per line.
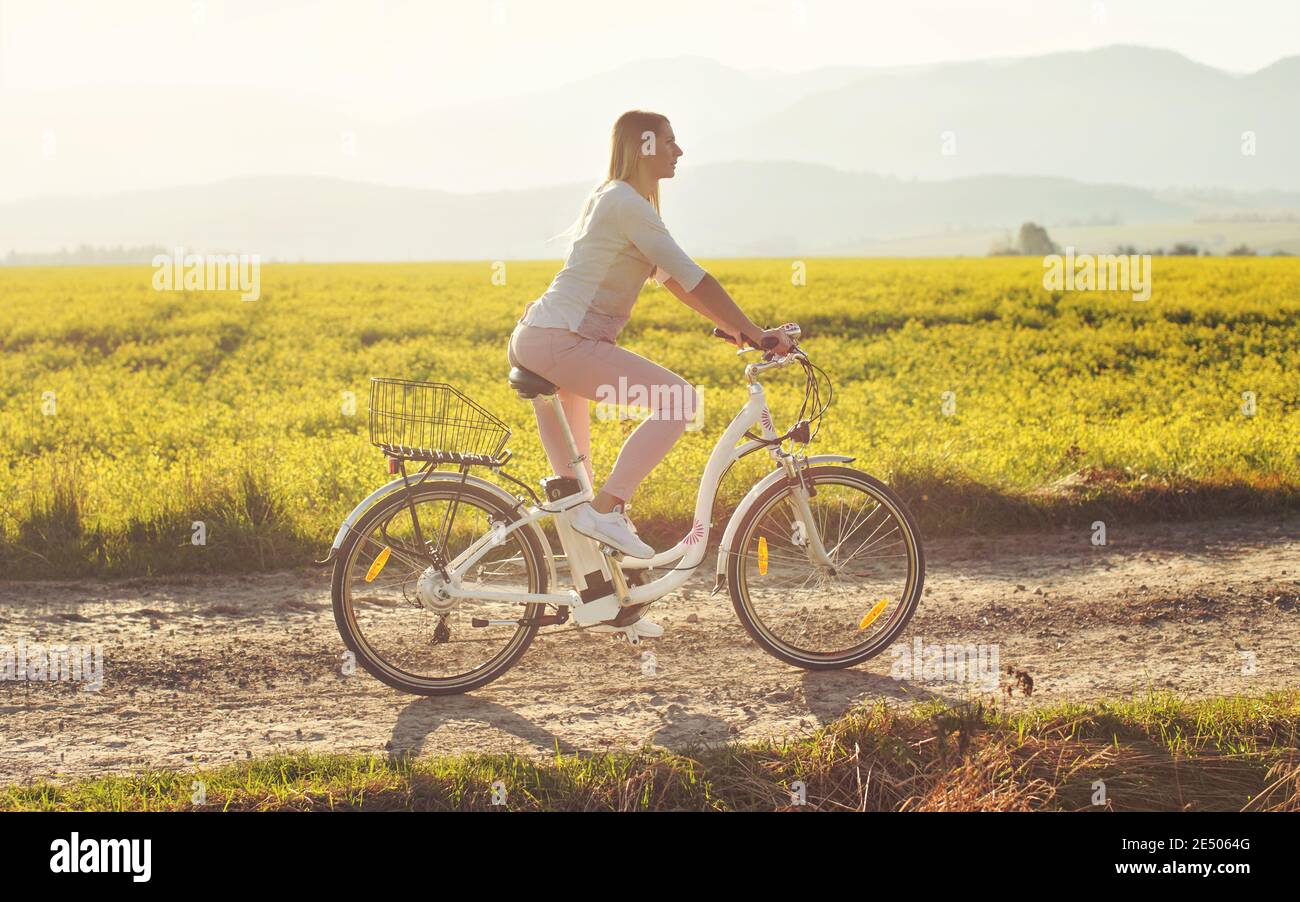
column 395, row 57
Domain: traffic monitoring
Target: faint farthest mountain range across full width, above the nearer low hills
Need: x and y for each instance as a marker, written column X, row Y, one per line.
column 1121, row 115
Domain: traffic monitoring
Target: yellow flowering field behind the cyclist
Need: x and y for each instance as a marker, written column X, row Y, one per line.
column 174, row 409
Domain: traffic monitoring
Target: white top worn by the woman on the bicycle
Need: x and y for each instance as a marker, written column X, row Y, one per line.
column 621, row 242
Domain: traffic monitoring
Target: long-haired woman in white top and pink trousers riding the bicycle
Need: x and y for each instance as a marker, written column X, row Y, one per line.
column 569, row 335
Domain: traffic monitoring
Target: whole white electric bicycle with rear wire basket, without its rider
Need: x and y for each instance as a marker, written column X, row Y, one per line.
column 443, row 578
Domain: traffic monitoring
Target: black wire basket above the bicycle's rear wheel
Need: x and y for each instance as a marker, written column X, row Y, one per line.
column 434, row 422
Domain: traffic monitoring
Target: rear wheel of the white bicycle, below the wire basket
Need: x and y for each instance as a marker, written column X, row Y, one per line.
column 409, row 639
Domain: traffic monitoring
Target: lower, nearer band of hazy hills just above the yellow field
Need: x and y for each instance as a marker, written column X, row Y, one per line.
column 722, row 210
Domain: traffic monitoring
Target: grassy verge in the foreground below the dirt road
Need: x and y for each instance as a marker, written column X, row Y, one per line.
column 1154, row 753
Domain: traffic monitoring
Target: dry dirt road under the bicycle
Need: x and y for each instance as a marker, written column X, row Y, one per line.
column 211, row 670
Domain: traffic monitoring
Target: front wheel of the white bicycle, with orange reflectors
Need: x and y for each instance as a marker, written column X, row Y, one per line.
column 826, row 613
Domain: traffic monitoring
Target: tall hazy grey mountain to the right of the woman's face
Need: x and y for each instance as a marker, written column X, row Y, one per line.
column 1125, row 115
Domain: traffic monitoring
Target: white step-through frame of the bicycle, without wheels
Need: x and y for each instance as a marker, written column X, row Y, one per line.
column 688, row 553
